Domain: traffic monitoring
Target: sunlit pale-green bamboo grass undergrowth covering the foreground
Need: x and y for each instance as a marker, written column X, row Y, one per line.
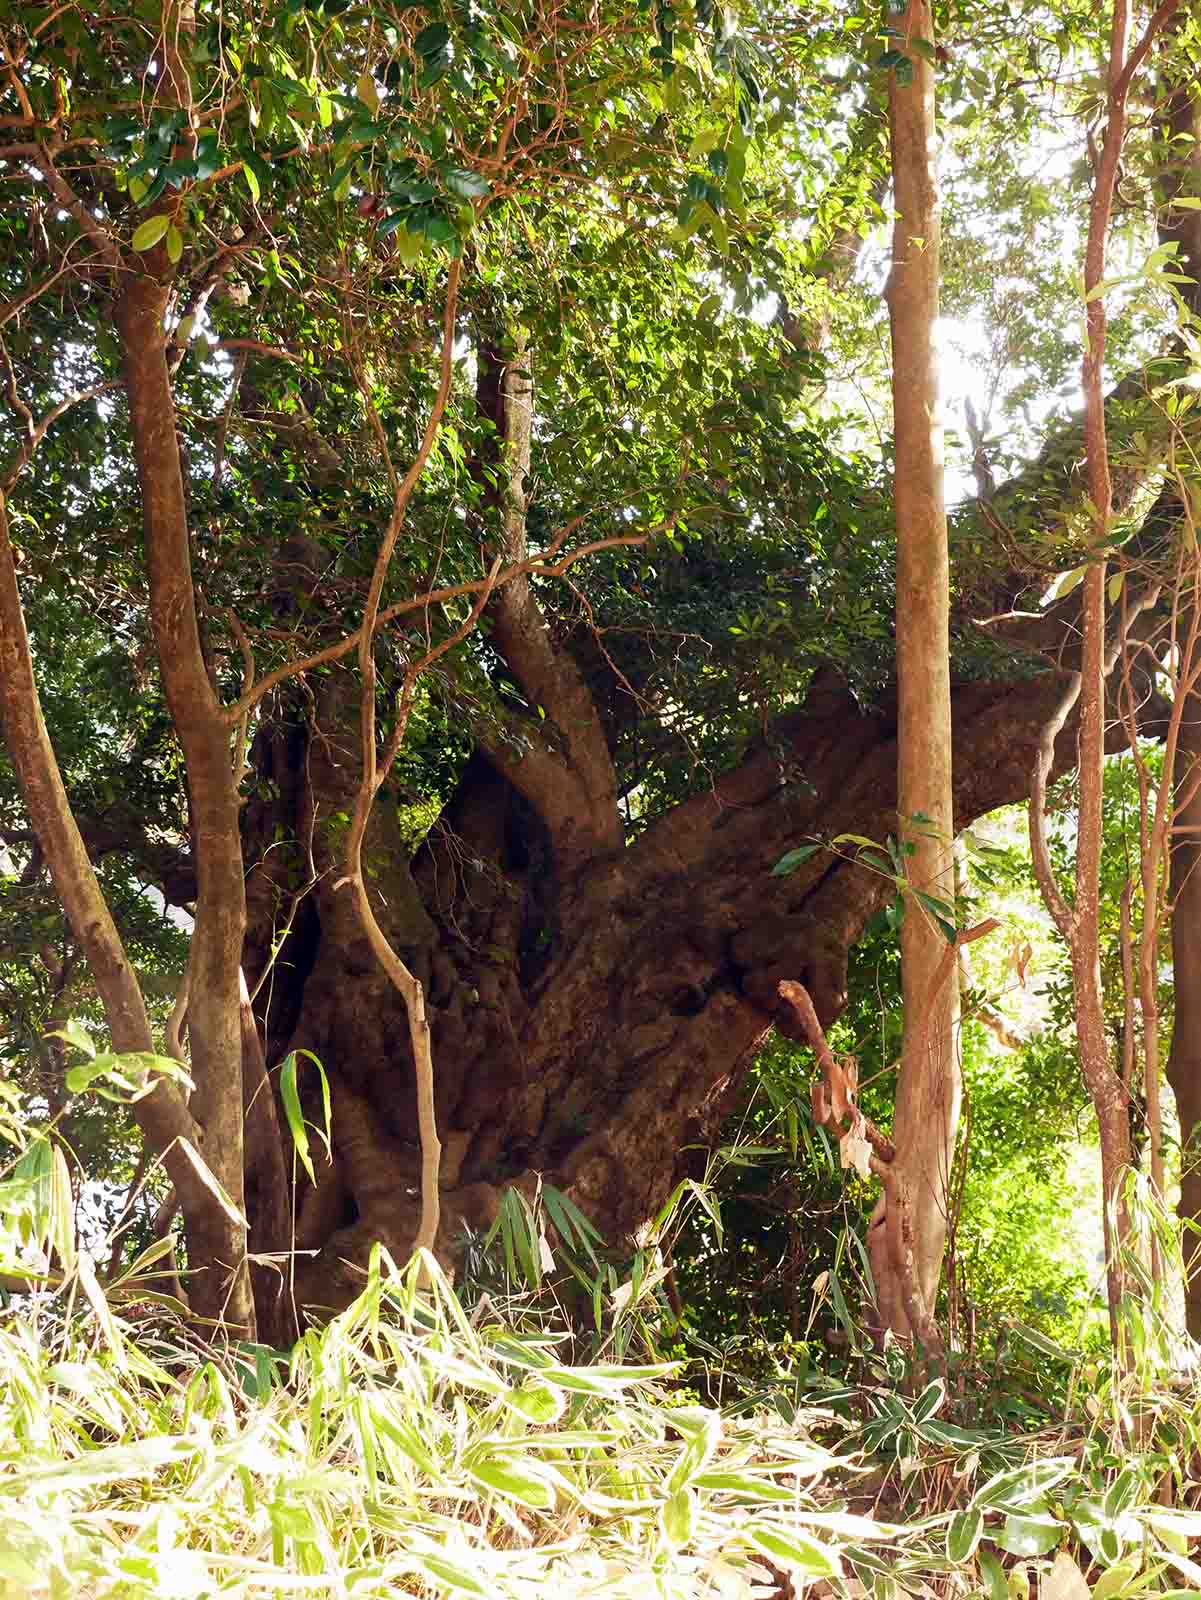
column 484, row 1442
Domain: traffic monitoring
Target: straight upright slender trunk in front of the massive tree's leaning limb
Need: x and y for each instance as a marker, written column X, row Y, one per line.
column 911, row 1244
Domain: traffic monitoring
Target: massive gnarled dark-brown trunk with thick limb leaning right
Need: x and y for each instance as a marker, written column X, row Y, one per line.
column 581, row 1026
